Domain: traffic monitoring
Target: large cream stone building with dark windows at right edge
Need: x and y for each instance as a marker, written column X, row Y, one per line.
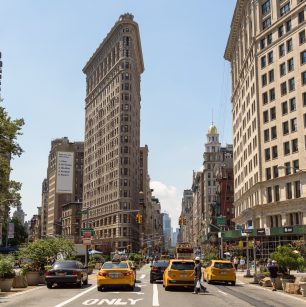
column 267, row 51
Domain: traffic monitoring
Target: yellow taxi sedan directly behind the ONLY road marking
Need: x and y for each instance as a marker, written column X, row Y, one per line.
column 116, row 273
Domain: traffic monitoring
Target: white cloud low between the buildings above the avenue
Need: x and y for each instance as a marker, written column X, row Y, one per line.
column 170, row 199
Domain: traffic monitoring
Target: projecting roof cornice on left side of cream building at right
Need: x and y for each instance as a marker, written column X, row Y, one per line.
column 234, row 29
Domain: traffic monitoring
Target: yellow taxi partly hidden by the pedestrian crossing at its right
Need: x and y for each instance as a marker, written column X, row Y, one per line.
column 179, row 272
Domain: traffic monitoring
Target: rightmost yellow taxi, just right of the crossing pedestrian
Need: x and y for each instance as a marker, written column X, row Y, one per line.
column 220, row 270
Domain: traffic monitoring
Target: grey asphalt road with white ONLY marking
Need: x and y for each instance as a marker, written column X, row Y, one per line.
column 146, row 294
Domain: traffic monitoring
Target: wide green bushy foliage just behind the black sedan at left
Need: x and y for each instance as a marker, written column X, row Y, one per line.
column 46, row 251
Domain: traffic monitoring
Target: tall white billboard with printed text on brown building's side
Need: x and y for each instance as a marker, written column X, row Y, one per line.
column 64, row 180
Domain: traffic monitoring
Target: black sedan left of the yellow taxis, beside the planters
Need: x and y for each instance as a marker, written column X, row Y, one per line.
column 67, row 272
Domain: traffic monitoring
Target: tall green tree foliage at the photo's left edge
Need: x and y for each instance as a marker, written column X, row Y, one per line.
column 9, row 148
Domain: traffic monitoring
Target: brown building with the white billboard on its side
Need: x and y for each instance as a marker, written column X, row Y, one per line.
column 65, row 181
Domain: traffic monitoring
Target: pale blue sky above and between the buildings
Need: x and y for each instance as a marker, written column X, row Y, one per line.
column 185, row 86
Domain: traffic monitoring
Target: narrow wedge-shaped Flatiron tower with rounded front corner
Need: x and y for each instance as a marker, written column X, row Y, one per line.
column 112, row 136
